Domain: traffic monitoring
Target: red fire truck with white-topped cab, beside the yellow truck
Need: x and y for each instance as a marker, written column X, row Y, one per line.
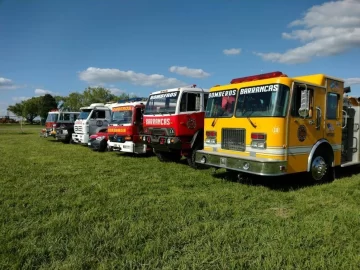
column 174, row 122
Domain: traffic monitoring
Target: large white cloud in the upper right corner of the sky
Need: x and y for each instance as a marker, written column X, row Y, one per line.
column 328, row 29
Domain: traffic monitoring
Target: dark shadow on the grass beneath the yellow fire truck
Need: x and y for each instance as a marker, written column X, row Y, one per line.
column 287, row 182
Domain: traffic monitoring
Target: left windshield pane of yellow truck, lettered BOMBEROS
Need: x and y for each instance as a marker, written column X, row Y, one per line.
column 219, row 106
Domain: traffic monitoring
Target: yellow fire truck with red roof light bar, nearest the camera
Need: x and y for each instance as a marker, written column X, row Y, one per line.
column 271, row 124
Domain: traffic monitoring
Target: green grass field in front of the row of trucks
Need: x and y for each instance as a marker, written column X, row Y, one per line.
column 67, row 207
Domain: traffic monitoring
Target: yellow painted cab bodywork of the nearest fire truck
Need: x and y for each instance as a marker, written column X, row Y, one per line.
column 289, row 138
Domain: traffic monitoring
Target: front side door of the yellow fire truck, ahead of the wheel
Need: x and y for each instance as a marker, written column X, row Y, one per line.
column 305, row 125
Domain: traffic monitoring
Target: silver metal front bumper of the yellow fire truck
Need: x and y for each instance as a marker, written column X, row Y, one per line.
column 258, row 166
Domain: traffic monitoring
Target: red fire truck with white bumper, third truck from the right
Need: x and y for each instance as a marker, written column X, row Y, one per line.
column 126, row 125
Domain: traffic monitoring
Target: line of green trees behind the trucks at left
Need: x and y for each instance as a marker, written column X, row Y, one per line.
column 40, row 106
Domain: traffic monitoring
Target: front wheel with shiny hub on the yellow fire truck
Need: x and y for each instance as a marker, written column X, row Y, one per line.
column 320, row 169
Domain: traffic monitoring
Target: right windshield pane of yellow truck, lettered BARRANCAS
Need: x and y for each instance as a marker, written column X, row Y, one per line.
column 263, row 104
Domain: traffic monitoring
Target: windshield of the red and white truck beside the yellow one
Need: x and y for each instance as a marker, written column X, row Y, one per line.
column 162, row 103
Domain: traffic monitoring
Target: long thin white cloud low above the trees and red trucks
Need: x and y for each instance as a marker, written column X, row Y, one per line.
column 108, row 75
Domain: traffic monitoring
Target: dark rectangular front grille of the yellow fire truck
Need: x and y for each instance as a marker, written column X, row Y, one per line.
column 233, row 139
